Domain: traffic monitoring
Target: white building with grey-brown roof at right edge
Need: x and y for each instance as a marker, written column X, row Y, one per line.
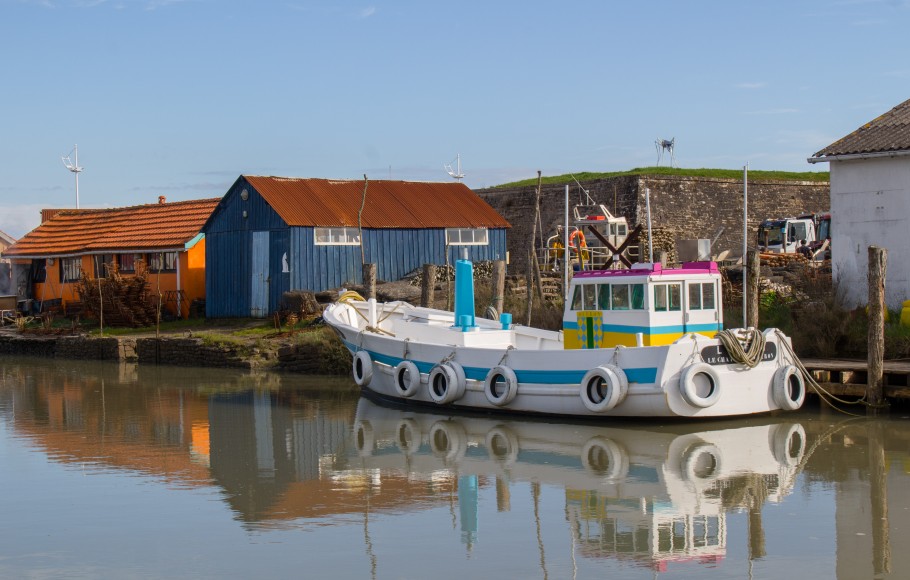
column 870, row 205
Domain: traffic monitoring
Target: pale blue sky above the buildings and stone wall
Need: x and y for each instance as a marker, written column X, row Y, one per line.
column 180, row 97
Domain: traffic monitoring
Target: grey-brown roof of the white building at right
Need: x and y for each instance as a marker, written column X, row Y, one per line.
column 889, row 132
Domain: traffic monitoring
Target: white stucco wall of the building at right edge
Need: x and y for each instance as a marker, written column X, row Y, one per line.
column 870, row 206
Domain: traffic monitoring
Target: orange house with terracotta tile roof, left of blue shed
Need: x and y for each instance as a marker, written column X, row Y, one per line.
column 164, row 239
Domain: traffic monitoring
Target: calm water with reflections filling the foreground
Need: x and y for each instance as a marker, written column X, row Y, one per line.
column 117, row 471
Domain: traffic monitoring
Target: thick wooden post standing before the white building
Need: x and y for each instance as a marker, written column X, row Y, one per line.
column 878, row 258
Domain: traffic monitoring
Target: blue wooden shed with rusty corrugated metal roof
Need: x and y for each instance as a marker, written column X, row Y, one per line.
column 270, row 235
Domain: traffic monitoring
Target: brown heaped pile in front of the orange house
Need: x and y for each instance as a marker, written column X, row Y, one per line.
column 123, row 301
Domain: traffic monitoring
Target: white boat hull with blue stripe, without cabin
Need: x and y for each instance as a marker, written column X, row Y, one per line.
column 549, row 379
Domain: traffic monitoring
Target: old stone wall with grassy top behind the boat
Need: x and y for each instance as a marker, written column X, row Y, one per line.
column 691, row 207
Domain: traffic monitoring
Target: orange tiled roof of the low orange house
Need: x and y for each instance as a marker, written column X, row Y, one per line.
column 141, row 227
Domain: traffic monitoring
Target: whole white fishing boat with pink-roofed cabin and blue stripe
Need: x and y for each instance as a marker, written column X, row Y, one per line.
column 643, row 342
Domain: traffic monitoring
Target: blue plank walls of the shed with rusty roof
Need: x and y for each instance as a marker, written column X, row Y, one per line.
column 228, row 275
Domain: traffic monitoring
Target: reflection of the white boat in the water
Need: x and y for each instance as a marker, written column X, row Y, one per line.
column 649, row 494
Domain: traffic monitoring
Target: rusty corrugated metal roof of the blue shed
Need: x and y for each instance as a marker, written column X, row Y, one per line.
column 389, row 204
